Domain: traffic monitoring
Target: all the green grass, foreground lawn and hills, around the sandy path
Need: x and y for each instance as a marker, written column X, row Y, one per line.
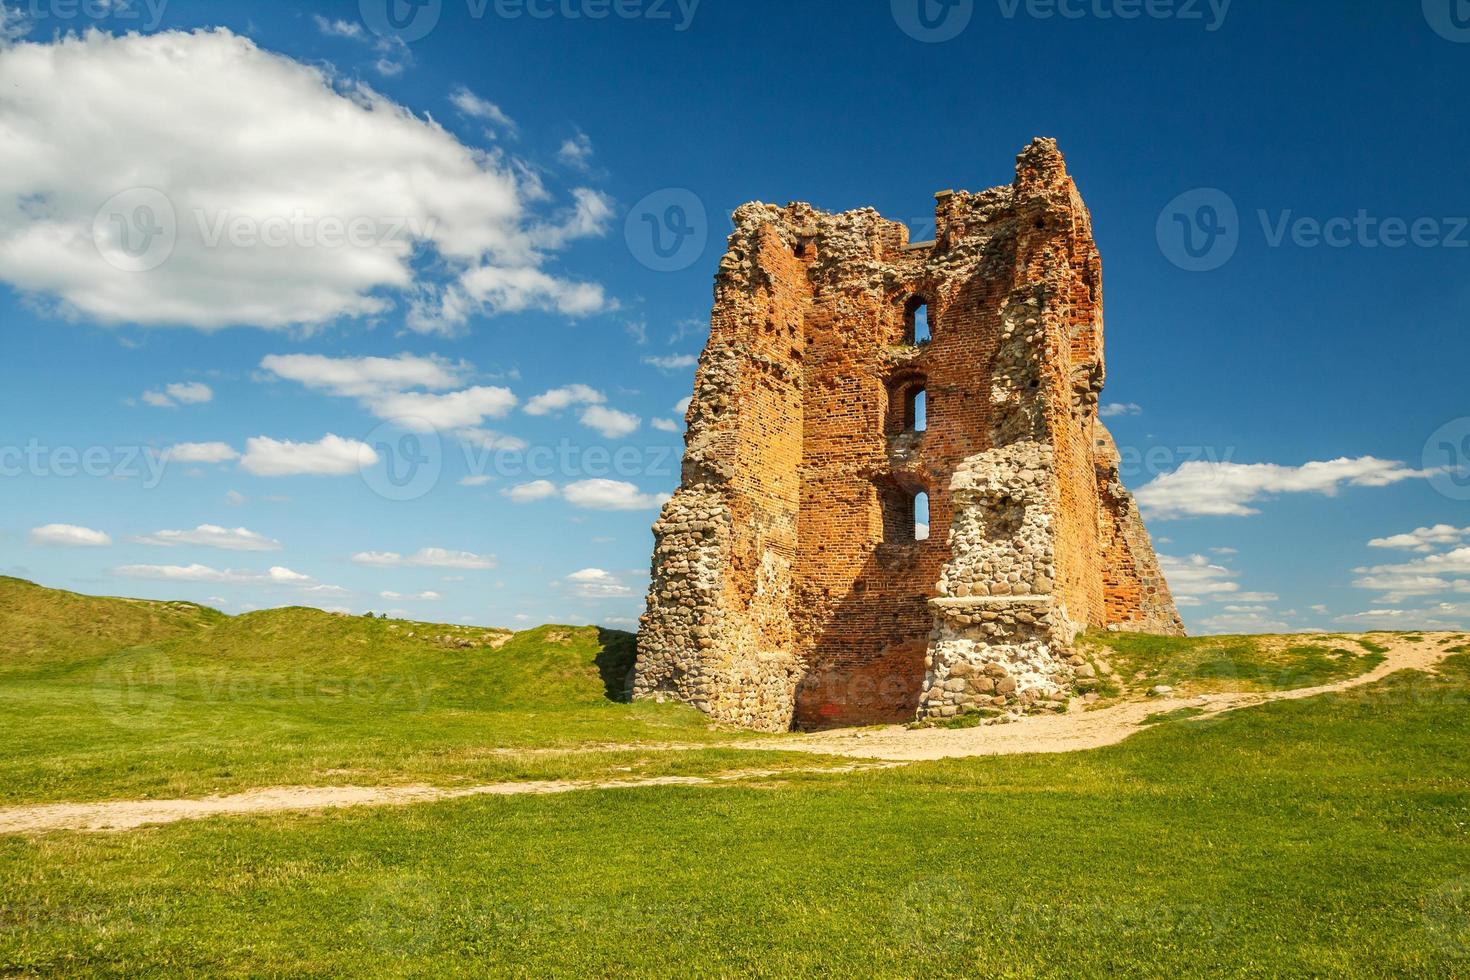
column 1327, row 837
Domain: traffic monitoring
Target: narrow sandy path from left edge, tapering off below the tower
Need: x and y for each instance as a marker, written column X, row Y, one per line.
column 132, row 815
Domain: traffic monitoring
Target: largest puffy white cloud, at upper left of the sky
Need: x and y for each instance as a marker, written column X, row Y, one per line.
column 165, row 112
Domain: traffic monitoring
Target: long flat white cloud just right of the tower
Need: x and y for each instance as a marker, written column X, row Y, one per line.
column 1215, row 489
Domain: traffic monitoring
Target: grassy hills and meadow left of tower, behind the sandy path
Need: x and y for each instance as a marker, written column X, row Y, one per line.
column 105, row 699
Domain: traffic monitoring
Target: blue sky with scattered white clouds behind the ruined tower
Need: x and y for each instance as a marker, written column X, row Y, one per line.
column 1288, row 384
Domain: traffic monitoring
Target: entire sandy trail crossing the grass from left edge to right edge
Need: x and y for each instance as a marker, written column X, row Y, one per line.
column 883, row 749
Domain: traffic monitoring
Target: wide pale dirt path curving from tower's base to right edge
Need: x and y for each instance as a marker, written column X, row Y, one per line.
column 1080, row 729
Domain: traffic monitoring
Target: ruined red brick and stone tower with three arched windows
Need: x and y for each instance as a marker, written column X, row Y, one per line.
column 793, row 581
